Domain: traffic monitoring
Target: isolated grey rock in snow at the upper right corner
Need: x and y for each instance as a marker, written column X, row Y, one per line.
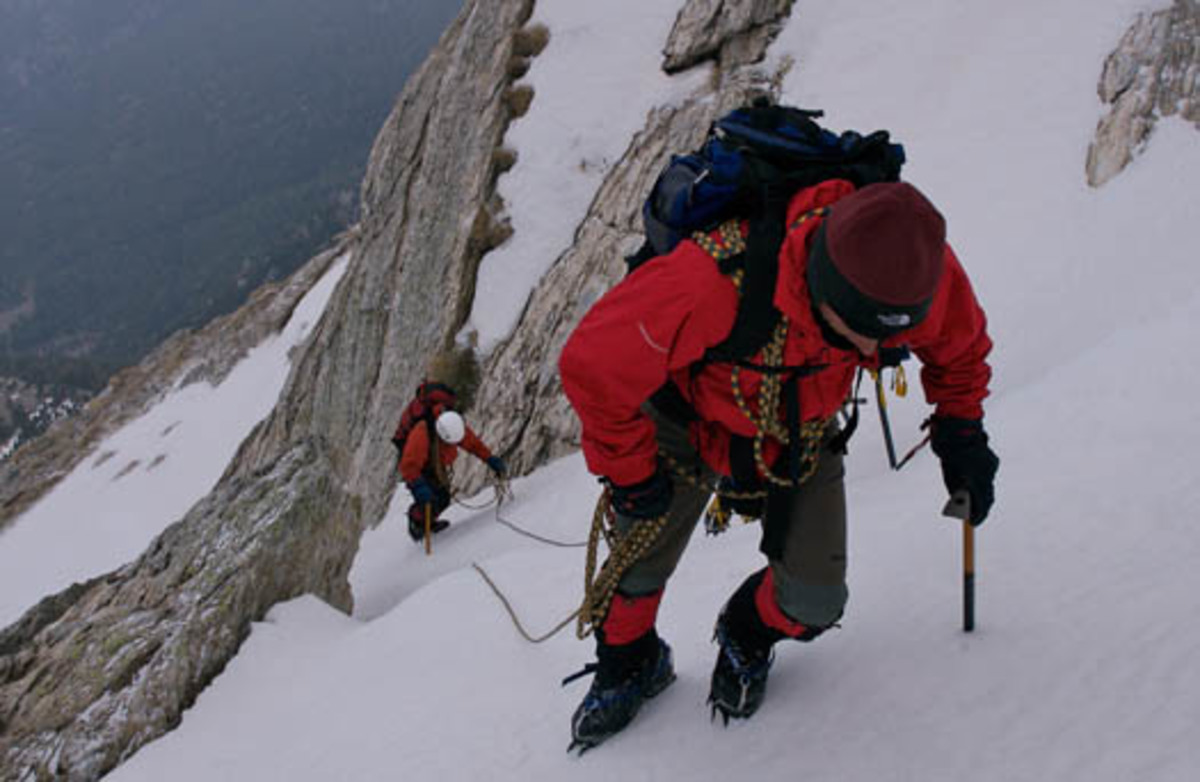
column 1154, row 73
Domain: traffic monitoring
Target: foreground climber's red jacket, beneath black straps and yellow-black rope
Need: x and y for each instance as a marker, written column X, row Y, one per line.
column 661, row 320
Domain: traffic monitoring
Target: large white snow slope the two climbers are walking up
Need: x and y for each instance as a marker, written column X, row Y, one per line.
column 1083, row 663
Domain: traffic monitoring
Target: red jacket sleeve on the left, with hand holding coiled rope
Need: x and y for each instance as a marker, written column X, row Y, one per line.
column 661, row 318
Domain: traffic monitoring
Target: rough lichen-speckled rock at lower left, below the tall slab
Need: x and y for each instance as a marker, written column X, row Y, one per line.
column 92, row 675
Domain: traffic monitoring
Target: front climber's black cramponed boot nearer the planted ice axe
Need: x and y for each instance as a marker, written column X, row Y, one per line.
column 743, row 661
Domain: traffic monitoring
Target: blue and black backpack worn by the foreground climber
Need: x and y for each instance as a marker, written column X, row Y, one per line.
column 753, row 161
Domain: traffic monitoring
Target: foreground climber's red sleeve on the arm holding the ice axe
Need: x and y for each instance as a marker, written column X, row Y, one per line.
column 953, row 347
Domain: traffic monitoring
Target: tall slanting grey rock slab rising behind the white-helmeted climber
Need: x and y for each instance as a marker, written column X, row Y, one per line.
column 429, row 207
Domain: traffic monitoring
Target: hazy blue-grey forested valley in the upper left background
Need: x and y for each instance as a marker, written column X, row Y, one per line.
column 161, row 159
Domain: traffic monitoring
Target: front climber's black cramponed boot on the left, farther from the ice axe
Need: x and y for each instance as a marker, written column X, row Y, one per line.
column 626, row 677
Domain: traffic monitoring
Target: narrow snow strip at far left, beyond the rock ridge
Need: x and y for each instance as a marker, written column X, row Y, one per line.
column 149, row 473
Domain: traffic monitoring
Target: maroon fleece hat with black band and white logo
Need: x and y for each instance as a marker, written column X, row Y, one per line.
column 878, row 258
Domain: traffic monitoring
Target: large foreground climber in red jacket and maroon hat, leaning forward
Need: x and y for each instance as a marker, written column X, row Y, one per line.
column 861, row 273
